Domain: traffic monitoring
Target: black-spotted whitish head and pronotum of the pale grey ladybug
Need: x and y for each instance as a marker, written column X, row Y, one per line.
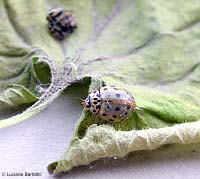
column 93, row 102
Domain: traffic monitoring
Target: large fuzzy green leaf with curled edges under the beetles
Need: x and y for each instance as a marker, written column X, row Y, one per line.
column 150, row 48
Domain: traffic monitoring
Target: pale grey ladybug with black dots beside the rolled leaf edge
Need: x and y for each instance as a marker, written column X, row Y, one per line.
column 110, row 103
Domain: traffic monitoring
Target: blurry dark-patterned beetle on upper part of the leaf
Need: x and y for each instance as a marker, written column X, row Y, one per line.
column 61, row 22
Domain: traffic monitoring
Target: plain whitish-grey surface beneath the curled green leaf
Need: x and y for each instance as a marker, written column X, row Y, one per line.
column 31, row 145
